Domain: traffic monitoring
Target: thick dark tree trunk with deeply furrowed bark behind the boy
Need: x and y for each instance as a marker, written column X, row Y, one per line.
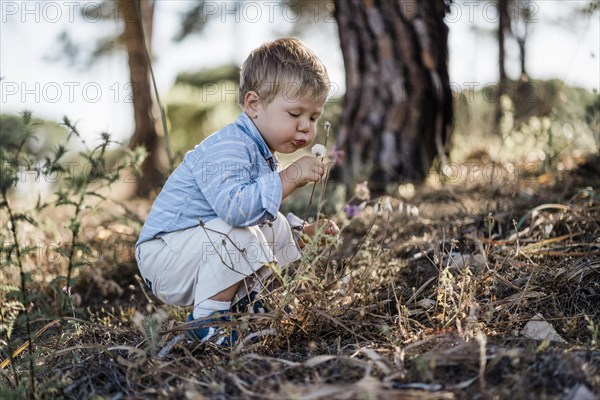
column 397, row 112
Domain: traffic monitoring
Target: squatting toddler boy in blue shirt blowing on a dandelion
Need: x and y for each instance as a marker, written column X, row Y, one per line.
column 216, row 224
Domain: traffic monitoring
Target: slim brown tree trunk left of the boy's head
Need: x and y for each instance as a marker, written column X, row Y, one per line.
column 145, row 133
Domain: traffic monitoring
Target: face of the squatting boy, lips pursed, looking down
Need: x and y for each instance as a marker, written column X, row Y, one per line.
column 288, row 124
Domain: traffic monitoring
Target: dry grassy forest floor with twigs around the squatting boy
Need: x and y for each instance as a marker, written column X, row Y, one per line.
column 490, row 291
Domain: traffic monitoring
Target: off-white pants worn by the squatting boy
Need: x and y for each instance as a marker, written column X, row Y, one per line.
column 189, row 266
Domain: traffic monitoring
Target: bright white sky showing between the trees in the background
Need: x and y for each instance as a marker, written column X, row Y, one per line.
column 98, row 97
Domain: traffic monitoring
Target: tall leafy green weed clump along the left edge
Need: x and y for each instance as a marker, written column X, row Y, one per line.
column 74, row 191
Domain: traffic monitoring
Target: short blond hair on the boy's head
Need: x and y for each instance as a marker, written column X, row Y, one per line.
column 284, row 66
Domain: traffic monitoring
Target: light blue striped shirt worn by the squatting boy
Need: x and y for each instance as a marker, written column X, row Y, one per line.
column 231, row 175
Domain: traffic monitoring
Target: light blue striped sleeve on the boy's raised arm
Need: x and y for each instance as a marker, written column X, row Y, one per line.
column 225, row 176
